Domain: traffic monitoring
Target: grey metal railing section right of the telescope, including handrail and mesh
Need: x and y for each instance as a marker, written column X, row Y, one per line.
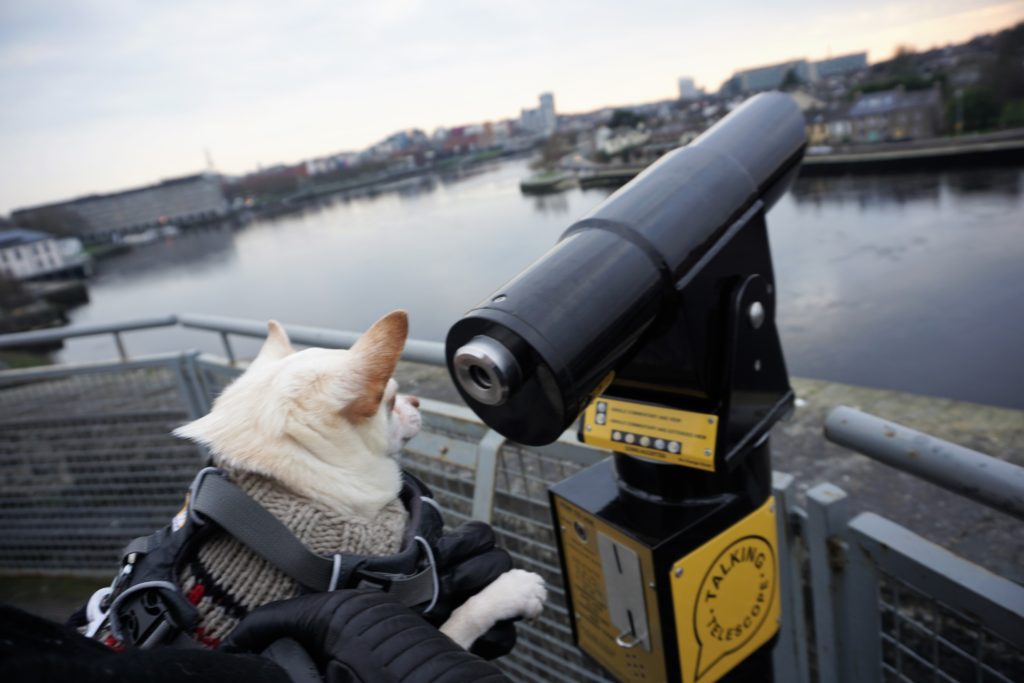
column 888, row 604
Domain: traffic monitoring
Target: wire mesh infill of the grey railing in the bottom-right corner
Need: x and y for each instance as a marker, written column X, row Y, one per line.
column 923, row 639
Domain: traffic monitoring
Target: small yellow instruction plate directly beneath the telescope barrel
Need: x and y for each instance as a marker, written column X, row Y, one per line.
column 653, row 433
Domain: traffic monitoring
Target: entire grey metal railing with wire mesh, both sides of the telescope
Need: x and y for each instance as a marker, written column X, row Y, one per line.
column 87, row 463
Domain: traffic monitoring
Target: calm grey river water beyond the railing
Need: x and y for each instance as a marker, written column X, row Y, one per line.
column 903, row 282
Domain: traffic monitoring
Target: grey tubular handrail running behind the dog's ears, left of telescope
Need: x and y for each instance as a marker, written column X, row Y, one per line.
column 417, row 351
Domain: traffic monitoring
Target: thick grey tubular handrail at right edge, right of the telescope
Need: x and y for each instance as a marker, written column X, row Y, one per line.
column 989, row 481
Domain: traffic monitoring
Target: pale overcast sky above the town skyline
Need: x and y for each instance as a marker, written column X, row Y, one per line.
column 100, row 97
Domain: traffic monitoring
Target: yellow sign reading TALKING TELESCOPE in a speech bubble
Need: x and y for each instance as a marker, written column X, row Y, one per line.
column 726, row 597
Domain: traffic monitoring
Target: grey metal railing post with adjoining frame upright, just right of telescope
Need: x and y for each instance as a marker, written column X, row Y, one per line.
column 847, row 625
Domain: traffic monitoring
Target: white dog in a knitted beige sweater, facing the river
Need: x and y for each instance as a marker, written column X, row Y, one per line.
column 313, row 436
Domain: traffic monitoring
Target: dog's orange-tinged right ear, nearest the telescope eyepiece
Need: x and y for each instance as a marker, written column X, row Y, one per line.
column 377, row 354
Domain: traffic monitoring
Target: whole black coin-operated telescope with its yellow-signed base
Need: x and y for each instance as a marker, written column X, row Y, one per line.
column 654, row 319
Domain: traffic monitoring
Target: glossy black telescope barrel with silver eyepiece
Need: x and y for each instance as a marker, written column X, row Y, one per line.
column 528, row 358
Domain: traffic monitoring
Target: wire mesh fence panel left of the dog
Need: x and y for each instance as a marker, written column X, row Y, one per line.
column 88, row 462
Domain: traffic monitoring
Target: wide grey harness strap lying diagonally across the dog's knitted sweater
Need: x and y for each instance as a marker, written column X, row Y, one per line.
column 221, row 501
